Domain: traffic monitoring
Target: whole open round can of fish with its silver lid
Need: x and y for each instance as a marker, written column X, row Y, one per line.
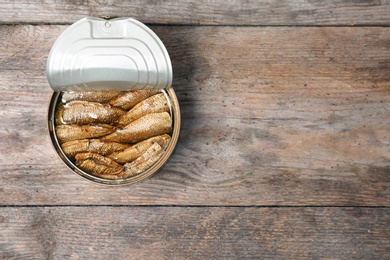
column 107, row 126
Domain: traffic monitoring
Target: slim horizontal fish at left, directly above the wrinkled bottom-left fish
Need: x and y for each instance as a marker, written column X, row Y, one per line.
column 91, row 145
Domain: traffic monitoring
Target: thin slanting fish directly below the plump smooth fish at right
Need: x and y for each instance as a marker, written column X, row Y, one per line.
column 135, row 151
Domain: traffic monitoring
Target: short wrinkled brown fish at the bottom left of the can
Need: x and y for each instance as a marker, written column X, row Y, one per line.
column 97, row 164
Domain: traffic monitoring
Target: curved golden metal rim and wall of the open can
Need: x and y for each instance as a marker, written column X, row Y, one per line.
column 175, row 115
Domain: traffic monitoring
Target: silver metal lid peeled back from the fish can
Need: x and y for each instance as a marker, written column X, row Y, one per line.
column 119, row 54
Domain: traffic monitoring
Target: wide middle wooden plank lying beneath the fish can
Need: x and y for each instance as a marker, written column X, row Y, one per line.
column 271, row 116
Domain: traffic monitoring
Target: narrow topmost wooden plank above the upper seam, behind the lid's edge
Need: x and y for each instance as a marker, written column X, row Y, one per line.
column 263, row 12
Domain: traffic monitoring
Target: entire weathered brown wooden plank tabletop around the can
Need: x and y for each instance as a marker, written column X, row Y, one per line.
column 284, row 150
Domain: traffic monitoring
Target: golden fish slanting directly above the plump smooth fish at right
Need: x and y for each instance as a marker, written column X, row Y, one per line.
column 154, row 104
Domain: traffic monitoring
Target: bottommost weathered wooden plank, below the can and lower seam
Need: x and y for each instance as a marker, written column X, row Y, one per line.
column 194, row 233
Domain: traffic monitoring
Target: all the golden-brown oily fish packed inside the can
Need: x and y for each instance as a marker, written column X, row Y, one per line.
column 114, row 135
